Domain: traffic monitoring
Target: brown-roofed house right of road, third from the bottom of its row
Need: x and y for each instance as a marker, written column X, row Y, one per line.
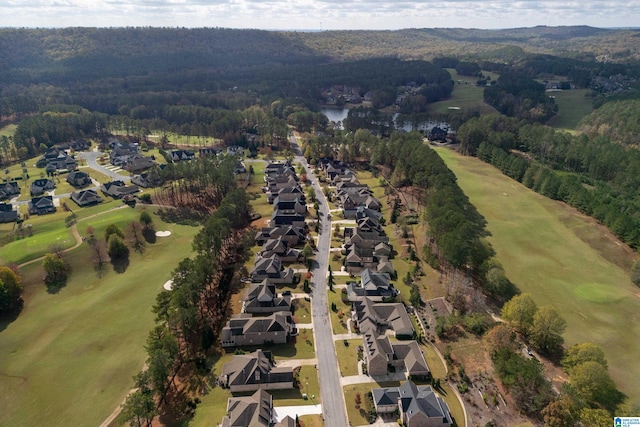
column 378, row 317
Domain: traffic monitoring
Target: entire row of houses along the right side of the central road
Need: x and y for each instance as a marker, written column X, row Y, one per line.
column 368, row 251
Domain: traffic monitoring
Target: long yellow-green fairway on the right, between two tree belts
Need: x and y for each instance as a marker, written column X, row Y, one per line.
column 563, row 259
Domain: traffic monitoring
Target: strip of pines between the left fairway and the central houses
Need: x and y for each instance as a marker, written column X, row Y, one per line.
column 190, row 317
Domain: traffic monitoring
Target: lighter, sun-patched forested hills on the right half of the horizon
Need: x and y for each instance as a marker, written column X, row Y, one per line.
column 580, row 42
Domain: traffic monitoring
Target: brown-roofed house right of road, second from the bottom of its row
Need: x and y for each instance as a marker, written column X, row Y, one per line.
column 383, row 356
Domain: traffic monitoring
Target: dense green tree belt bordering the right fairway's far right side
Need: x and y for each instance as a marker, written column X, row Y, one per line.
column 591, row 173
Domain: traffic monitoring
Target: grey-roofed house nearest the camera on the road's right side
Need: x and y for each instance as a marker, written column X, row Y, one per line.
column 418, row 406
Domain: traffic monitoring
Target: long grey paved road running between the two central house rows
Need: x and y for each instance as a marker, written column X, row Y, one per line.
column 333, row 405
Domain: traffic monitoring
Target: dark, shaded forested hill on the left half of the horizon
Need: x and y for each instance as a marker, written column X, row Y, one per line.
column 55, row 55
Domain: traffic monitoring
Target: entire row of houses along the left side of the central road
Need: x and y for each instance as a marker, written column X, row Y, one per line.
column 266, row 317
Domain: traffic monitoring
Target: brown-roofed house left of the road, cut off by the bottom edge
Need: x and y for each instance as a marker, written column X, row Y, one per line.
column 255, row 411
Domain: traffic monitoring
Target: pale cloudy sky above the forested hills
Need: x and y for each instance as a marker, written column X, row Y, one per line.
column 319, row 14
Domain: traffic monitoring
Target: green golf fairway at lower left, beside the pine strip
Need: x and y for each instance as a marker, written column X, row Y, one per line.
column 72, row 354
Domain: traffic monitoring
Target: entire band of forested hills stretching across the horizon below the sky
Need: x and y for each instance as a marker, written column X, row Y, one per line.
column 55, row 55
